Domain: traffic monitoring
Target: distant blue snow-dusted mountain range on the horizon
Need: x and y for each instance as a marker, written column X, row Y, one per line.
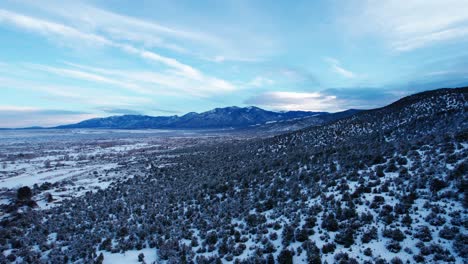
column 228, row 117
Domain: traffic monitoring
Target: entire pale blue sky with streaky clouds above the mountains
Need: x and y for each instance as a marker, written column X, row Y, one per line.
column 65, row 61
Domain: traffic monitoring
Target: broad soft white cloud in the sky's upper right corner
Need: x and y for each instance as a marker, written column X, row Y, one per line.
column 409, row 25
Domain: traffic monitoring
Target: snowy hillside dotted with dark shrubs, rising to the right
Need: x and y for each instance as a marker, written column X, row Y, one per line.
column 387, row 185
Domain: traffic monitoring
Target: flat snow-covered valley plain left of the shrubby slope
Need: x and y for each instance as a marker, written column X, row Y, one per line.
column 72, row 162
